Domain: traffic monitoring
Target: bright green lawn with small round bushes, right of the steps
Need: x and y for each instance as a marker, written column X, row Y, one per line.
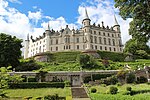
column 103, row 90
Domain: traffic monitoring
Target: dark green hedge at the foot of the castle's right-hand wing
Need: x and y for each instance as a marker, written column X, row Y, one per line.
column 114, row 56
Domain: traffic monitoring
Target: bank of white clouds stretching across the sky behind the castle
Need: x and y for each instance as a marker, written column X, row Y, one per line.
column 16, row 23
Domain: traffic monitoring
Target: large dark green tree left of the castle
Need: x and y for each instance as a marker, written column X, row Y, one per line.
column 9, row 50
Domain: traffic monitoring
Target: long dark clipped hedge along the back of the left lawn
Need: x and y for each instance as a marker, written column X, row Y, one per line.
column 37, row 85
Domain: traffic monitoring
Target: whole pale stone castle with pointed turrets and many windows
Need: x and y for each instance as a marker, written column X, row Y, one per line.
column 88, row 37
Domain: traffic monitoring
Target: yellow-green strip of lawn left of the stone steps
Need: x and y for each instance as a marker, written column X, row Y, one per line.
column 41, row 92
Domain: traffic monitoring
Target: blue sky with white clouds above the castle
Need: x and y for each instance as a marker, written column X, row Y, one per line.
column 22, row 17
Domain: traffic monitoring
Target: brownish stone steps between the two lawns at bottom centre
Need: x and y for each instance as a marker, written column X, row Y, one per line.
column 79, row 93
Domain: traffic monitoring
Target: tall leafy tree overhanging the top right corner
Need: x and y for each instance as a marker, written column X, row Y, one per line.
column 139, row 10
